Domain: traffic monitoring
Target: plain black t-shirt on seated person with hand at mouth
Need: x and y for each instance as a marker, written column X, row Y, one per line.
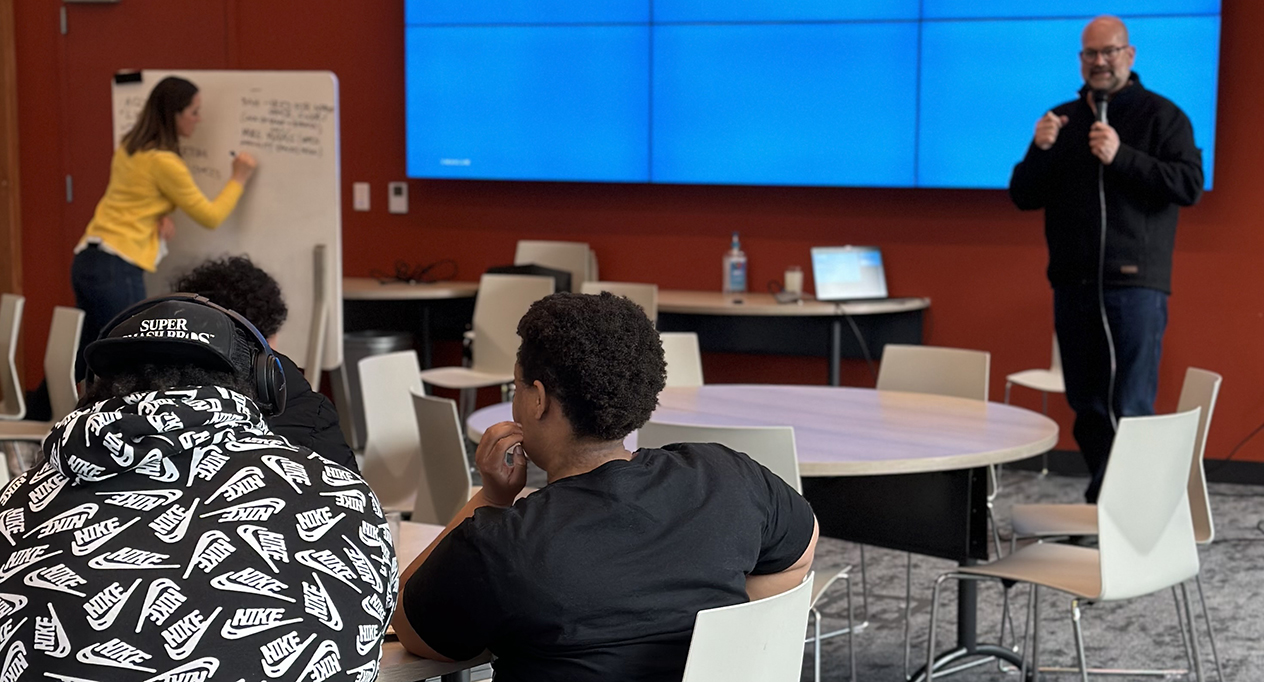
column 600, row 577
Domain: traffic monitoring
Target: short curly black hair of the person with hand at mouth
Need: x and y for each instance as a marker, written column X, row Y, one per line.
column 600, row 356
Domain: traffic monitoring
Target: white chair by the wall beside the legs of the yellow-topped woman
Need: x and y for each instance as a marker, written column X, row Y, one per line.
column 64, row 337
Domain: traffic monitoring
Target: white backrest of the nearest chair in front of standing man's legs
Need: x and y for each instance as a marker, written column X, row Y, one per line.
column 1145, row 529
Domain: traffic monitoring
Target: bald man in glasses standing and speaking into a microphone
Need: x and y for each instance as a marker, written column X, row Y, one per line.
column 1112, row 170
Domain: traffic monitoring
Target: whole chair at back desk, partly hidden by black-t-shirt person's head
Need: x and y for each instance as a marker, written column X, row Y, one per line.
column 501, row 304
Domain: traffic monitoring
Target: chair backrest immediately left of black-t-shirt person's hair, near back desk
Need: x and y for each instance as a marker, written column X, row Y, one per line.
column 501, row 304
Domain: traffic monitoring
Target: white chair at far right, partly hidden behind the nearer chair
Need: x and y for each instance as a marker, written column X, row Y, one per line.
column 1050, row 521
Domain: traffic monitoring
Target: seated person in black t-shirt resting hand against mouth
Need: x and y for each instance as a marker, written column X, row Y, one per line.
column 600, row 574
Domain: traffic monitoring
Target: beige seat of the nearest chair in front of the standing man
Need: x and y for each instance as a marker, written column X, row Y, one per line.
column 1074, row 570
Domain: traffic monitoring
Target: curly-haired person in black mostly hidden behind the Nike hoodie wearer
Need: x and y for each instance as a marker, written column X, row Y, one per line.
column 237, row 284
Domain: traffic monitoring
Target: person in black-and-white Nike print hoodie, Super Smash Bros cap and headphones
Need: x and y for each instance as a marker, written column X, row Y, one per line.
column 167, row 535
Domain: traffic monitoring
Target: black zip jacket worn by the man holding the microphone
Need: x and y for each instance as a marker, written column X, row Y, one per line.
column 1156, row 171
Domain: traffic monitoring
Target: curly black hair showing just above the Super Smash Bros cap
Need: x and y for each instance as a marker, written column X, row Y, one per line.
column 240, row 285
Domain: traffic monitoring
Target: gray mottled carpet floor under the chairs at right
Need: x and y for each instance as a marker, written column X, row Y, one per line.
column 1141, row 633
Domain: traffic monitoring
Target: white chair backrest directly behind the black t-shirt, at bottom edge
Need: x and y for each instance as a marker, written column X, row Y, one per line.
column 758, row 642
